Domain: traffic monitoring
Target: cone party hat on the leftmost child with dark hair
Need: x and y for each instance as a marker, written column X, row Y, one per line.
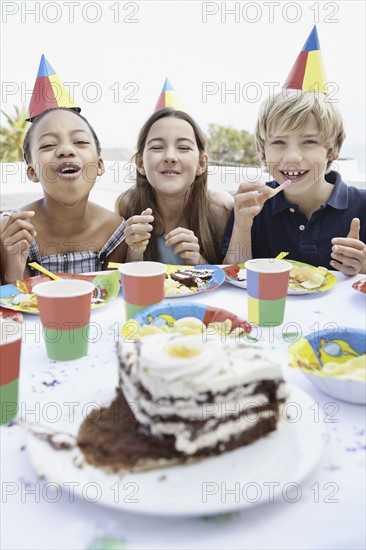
column 48, row 92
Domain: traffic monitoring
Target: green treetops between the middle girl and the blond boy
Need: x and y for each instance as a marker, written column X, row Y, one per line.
column 227, row 145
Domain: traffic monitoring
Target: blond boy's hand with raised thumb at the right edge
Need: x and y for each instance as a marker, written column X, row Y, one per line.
column 349, row 253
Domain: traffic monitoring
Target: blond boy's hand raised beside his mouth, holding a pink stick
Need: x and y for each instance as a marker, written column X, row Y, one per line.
column 249, row 201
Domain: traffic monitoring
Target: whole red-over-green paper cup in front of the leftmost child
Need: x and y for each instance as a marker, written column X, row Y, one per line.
column 64, row 308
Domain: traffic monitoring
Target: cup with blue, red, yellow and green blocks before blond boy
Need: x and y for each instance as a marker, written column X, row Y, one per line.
column 267, row 285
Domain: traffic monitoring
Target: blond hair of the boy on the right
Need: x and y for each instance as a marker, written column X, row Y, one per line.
column 289, row 111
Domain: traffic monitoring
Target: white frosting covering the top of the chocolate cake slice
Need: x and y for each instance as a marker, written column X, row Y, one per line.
column 216, row 367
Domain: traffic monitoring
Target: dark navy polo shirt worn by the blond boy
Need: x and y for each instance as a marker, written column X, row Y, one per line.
column 280, row 226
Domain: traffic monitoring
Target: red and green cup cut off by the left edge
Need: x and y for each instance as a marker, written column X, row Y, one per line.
column 10, row 346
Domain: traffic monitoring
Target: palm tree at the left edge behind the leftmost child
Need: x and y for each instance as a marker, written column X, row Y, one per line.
column 12, row 136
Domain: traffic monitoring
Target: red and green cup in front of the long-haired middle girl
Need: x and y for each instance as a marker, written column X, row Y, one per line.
column 142, row 285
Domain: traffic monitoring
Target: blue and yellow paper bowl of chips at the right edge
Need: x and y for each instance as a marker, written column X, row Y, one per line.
column 321, row 356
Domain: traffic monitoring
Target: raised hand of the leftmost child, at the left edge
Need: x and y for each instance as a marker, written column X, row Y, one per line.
column 17, row 234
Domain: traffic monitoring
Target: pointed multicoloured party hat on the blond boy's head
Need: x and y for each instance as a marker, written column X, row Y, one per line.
column 308, row 71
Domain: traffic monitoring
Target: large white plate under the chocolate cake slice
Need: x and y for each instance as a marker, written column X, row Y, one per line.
column 177, row 491
